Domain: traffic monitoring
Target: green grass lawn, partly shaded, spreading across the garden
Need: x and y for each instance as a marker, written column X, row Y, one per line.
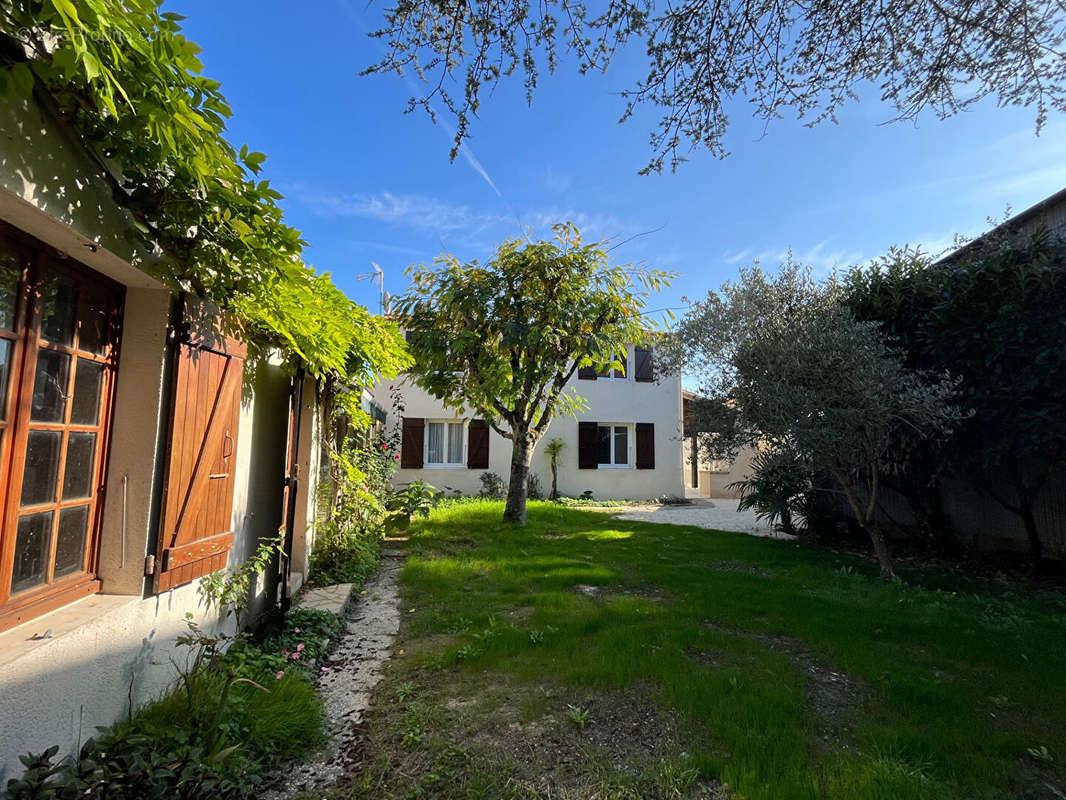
column 583, row 657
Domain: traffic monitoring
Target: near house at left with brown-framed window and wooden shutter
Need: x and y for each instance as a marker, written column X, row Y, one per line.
column 137, row 453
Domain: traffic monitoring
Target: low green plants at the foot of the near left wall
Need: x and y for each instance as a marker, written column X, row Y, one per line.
column 235, row 714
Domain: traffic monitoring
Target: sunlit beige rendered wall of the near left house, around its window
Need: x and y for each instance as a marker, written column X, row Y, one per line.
column 114, row 651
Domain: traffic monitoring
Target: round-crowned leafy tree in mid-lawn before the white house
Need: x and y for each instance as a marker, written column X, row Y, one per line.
column 505, row 339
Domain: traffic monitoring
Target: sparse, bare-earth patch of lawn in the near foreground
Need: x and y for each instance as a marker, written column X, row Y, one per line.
column 489, row 735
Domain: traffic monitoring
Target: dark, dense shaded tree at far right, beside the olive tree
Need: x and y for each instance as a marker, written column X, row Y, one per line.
column 991, row 314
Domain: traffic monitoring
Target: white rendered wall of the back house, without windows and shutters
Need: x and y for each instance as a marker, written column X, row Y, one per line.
column 609, row 402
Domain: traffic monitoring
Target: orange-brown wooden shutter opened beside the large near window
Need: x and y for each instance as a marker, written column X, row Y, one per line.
column 196, row 536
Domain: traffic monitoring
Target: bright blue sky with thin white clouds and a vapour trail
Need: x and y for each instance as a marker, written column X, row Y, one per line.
column 367, row 183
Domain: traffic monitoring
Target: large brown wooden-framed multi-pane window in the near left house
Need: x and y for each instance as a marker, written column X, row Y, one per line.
column 58, row 349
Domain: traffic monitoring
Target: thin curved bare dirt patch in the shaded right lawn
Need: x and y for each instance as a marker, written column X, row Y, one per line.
column 834, row 697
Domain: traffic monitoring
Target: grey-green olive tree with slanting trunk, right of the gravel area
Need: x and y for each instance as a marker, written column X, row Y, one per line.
column 790, row 369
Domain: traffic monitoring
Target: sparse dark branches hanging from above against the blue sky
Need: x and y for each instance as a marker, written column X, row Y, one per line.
column 772, row 57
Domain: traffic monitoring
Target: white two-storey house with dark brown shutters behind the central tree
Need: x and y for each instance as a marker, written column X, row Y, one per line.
column 626, row 445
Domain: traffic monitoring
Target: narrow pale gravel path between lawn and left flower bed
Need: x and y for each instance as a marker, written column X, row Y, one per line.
column 354, row 669
